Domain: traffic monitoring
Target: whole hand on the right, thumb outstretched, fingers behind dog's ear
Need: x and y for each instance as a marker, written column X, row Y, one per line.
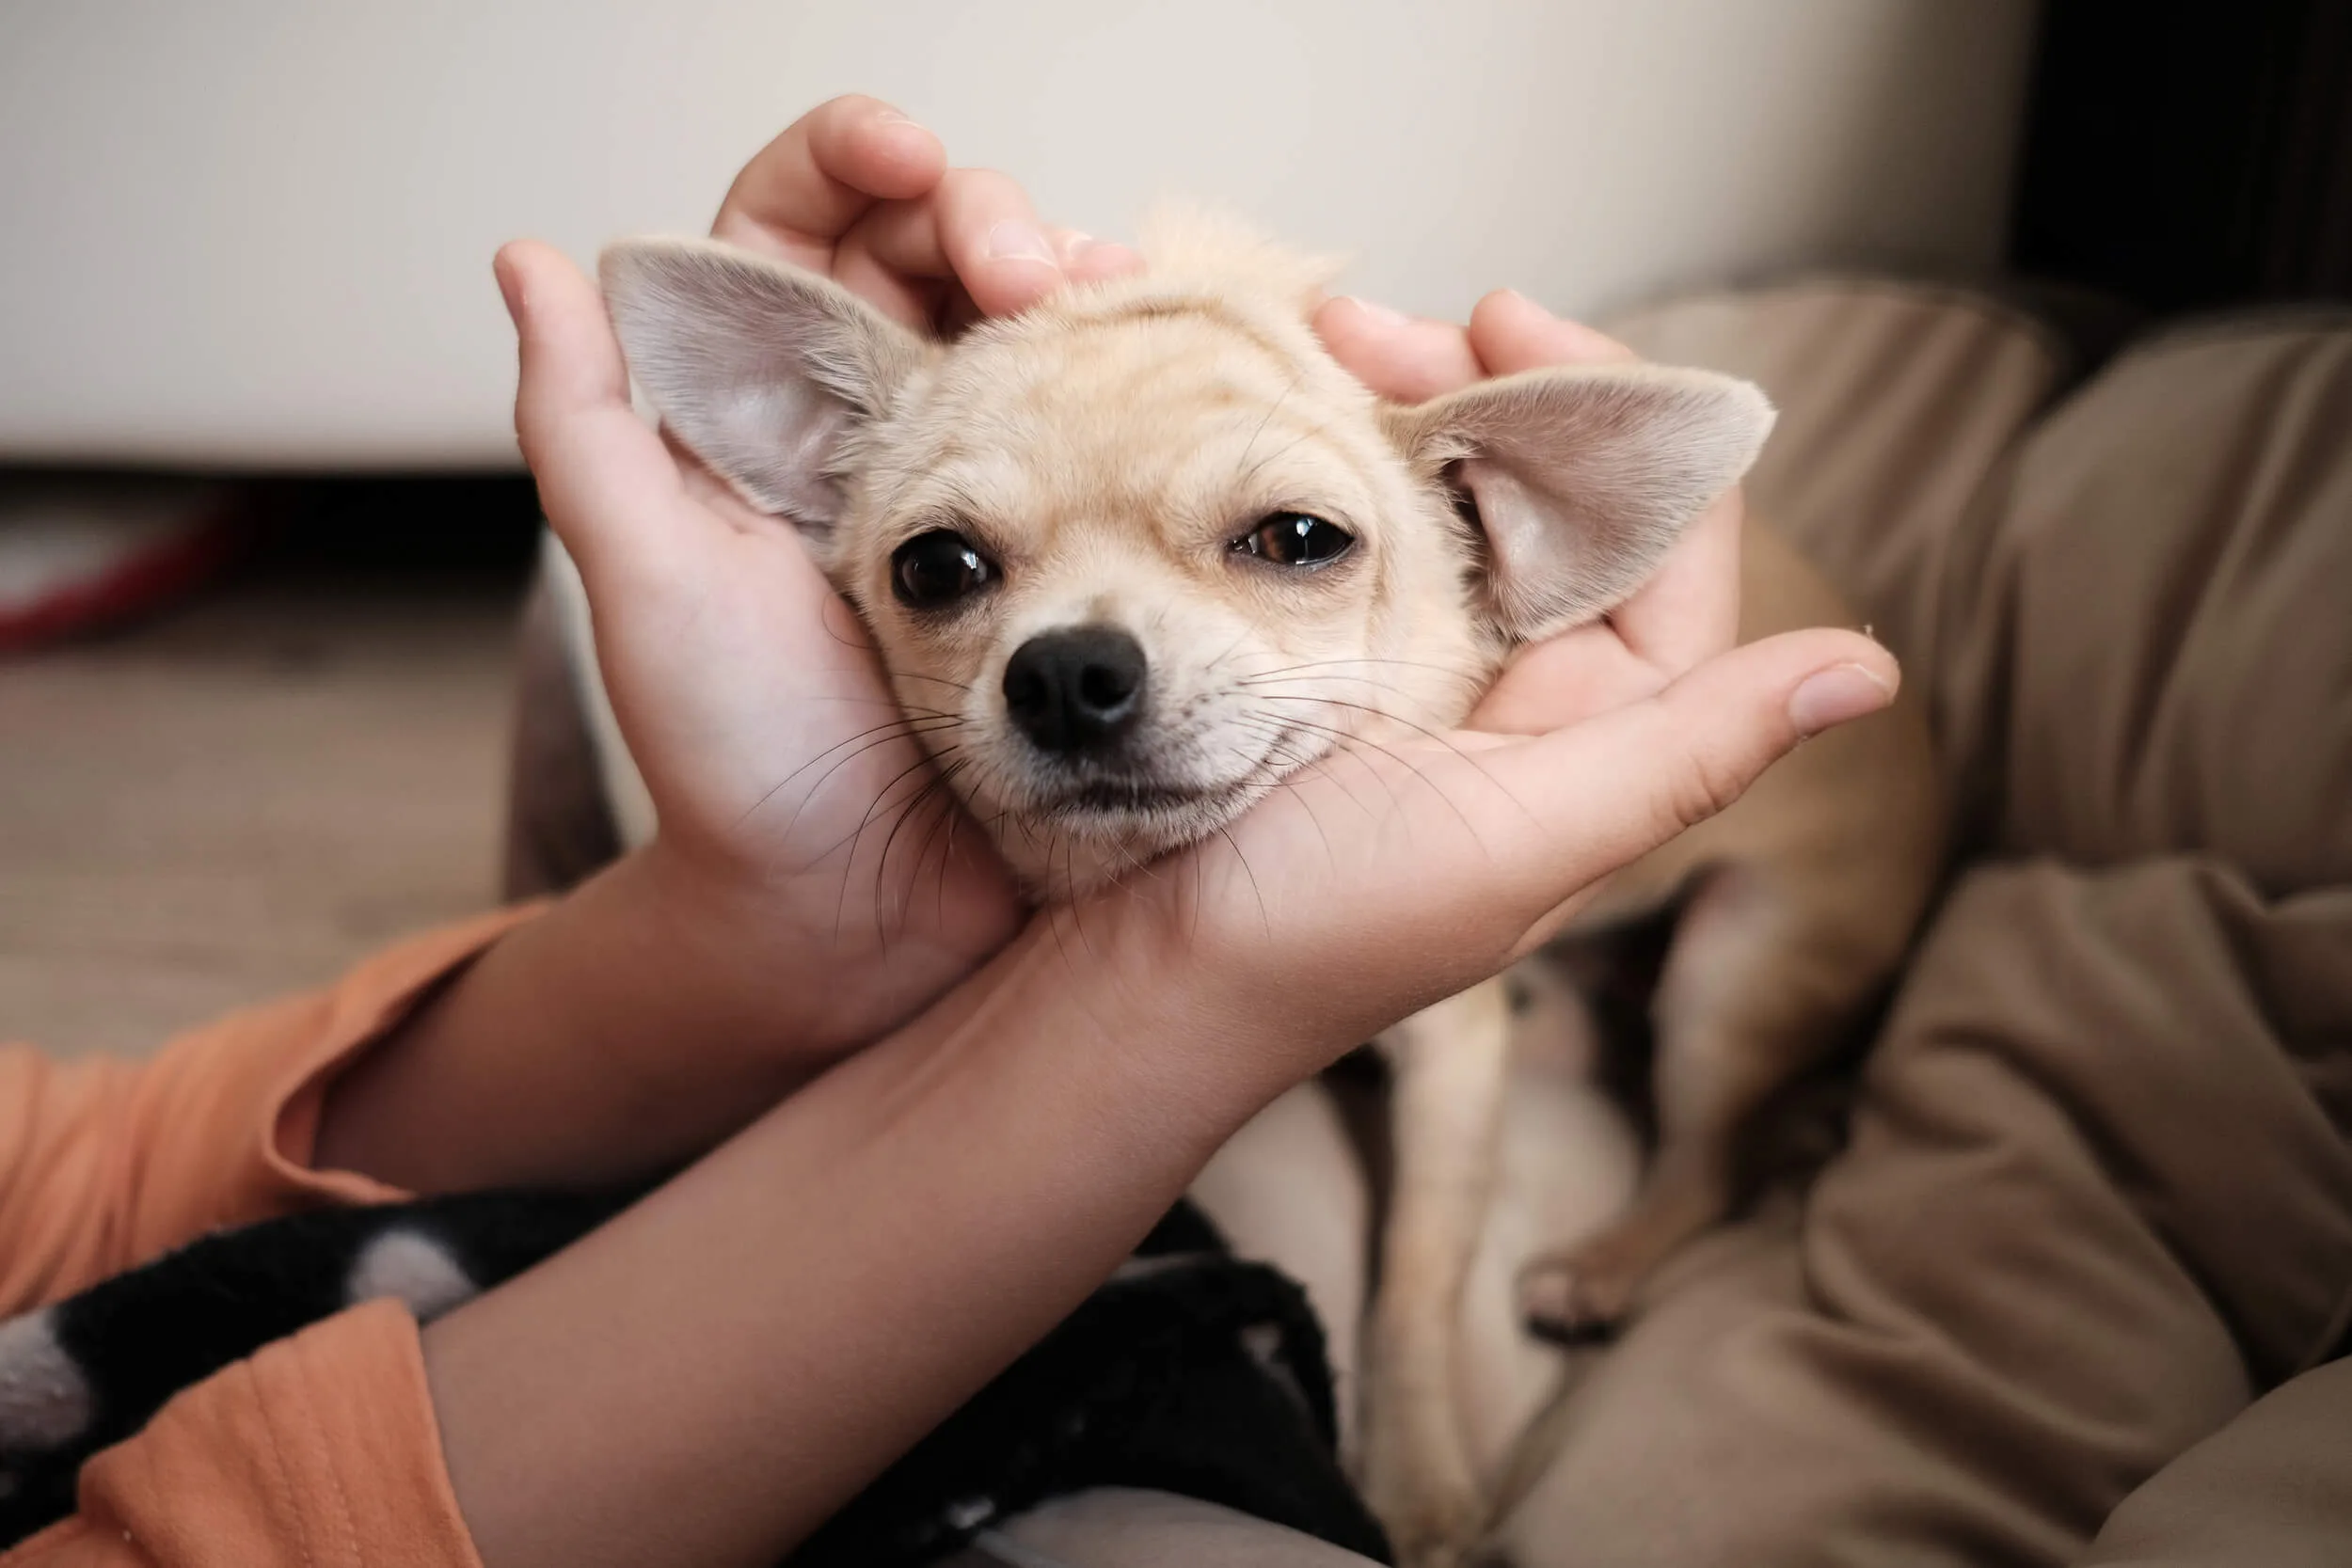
column 1384, row 880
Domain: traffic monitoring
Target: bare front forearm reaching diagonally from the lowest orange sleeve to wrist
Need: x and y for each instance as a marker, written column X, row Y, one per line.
column 726, row 1365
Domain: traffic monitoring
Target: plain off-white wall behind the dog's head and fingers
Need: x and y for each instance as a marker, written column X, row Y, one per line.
column 260, row 232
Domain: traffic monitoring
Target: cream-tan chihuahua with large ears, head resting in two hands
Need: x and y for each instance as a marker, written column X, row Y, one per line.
column 1147, row 549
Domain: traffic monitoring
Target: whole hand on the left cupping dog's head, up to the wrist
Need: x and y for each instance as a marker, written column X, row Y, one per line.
column 747, row 690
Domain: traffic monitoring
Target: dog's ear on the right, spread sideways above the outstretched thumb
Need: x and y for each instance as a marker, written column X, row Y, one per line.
column 1584, row 478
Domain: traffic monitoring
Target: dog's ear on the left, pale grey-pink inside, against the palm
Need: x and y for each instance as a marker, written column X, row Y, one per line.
column 759, row 368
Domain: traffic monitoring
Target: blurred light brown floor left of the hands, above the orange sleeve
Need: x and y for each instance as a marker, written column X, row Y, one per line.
column 246, row 796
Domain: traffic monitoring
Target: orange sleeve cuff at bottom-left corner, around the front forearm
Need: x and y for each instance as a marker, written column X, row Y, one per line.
column 316, row 1454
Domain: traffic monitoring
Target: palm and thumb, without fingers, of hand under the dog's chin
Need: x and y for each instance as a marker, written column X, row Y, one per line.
column 1382, row 880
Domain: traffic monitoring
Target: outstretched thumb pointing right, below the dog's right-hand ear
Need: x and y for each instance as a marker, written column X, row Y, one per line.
column 1619, row 786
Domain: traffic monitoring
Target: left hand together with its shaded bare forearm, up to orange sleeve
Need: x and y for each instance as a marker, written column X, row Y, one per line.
column 690, row 986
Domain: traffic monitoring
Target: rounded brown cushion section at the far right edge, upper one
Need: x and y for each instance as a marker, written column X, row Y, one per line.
column 2160, row 650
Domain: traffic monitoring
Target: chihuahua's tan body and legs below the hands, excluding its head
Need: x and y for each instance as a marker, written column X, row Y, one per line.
column 1796, row 909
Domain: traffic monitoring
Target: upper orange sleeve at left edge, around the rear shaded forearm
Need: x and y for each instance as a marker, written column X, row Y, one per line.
column 109, row 1162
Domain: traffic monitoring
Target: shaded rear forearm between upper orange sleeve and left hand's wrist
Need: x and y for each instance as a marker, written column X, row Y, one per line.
column 624, row 1031
